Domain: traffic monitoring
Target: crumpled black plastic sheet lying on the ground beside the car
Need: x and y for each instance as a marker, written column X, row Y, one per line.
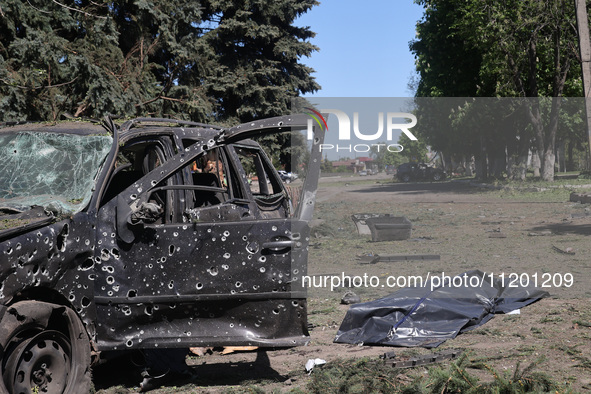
column 427, row 317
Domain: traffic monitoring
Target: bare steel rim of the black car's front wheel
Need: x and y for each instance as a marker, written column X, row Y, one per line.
column 41, row 362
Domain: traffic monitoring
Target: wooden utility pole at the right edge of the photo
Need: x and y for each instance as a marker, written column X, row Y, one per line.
column 585, row 51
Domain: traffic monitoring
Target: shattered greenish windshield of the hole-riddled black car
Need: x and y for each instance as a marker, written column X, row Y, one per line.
column 56, row 171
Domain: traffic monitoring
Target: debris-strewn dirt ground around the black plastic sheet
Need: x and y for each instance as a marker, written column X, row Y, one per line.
column 523, row 232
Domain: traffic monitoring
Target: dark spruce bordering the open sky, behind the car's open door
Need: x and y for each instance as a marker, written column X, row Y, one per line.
column 252, row 56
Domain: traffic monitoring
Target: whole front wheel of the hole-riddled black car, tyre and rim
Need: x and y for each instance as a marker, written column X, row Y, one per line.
column 44, row 347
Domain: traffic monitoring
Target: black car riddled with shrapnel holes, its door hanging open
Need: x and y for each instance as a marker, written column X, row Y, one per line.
column 144, row 235
